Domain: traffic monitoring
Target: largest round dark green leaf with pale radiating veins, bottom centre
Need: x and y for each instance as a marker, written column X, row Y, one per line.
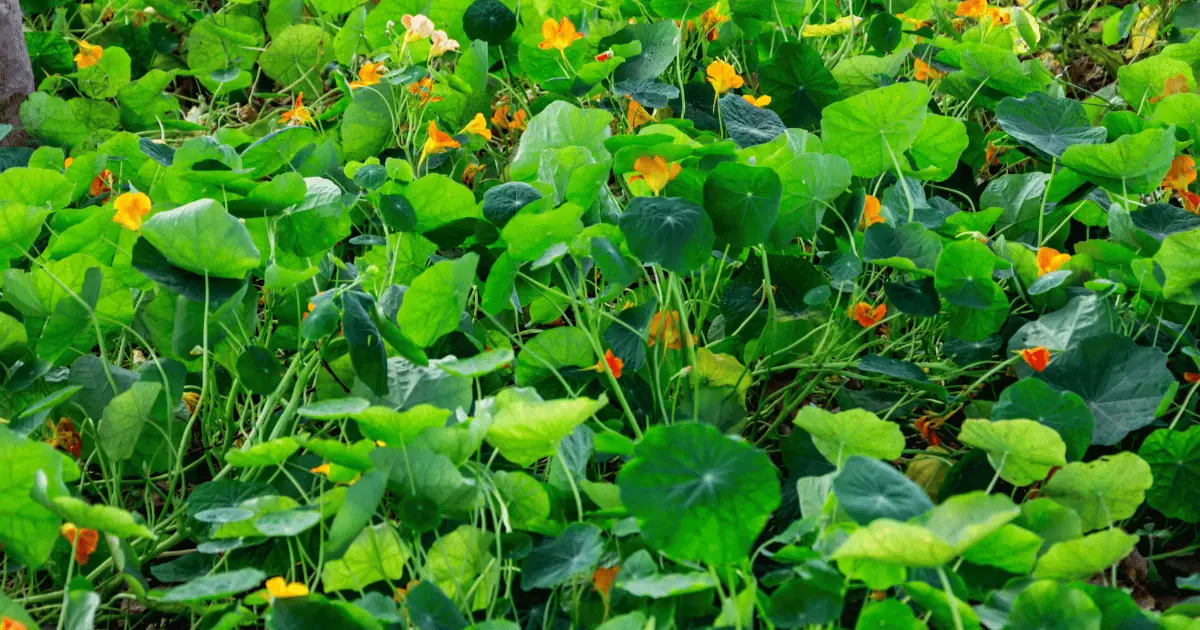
column 699, row 495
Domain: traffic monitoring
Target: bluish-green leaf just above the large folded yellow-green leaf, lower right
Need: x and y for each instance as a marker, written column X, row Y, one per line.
column 869, row 489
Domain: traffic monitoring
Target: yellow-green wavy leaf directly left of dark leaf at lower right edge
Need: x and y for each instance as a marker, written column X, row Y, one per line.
column 1102, row 491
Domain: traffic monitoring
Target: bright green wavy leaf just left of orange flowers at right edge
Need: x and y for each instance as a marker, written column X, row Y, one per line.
column 1133, row 165
